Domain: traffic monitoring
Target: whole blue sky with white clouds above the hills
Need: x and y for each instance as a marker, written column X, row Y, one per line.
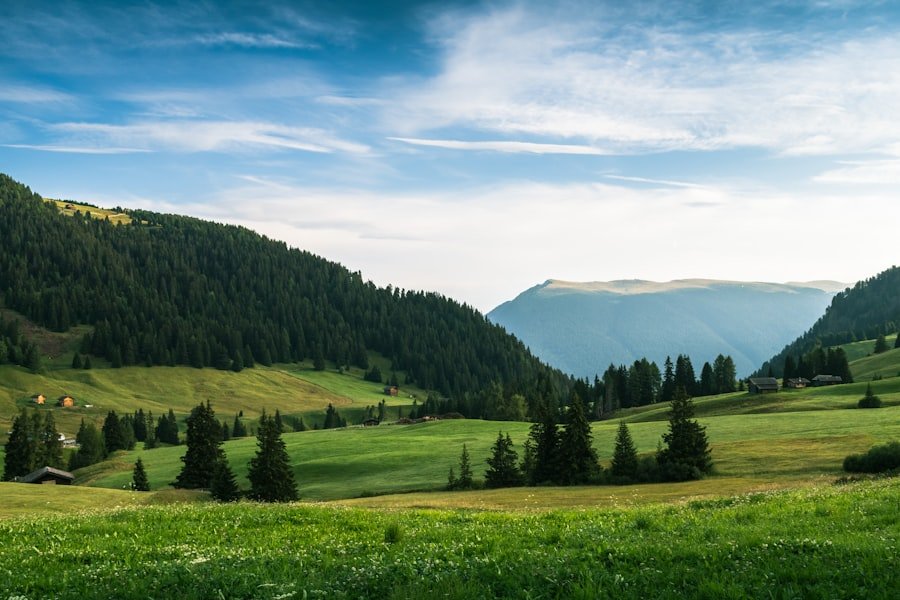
column 478, row 148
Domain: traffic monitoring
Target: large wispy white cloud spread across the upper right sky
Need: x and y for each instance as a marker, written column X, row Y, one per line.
column 617, row 85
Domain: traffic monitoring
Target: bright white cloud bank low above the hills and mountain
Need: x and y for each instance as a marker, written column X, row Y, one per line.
column 485, row 244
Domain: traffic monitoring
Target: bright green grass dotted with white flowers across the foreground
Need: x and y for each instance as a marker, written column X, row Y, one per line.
column 828, row 542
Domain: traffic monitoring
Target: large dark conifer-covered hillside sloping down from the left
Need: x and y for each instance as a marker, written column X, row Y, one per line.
column 169, row 290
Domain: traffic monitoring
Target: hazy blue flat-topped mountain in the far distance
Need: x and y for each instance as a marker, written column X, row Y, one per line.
column 581, row 328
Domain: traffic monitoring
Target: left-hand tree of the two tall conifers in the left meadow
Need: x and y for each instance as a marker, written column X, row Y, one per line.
column 203, row 439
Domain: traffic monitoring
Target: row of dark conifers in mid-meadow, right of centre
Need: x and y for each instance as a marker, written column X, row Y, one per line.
column 565, row 456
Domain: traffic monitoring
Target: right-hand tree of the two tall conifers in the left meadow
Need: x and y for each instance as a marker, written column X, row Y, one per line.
column 270, row 474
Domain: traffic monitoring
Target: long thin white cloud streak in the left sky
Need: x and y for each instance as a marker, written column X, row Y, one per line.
column 205, row 136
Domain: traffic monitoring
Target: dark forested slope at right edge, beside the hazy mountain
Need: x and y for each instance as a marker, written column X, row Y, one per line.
column 868, row 309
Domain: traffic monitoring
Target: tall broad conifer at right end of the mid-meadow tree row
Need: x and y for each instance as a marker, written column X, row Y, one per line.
column 686, row 455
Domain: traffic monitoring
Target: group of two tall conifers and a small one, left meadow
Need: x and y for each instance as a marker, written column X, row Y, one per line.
column 206, row 466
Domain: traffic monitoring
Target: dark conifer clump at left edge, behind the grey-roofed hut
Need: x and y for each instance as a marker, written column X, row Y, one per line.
column 33, row 443
